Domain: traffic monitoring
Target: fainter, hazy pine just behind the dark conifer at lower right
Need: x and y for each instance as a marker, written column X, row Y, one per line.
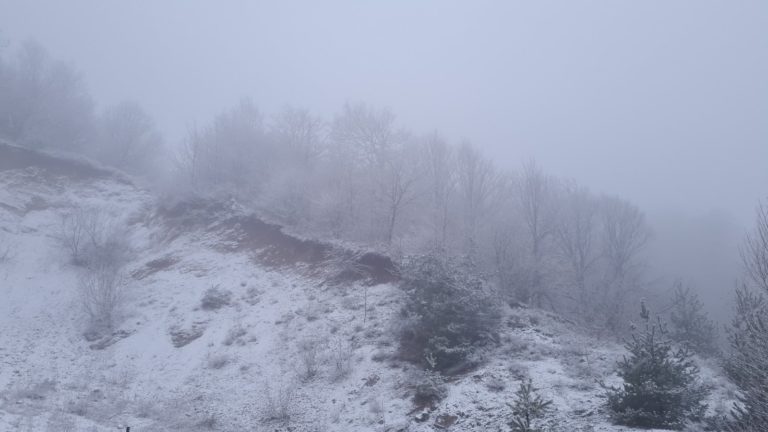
column 690, row 324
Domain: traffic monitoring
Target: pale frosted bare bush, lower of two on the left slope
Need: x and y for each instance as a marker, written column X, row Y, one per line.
column 102, row 296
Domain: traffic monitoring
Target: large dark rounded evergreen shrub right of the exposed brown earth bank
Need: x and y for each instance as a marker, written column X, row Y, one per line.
column 448, row 313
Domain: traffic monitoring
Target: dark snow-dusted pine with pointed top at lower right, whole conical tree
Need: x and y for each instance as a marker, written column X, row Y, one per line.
column 661, row 388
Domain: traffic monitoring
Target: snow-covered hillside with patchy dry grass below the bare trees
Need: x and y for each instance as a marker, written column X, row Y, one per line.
column 231, row 325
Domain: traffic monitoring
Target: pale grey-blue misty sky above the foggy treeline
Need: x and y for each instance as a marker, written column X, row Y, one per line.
column 662, row 102
